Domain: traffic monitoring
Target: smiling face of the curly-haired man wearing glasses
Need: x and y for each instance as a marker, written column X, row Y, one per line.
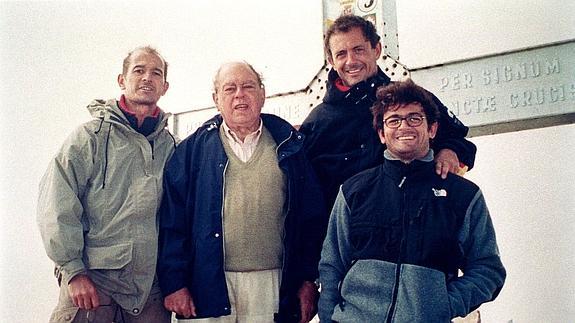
column 406, row 142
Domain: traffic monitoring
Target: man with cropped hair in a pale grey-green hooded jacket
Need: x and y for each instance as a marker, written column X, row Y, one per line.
column 99, row 198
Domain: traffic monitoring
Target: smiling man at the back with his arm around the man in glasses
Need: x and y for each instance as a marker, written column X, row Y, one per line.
column 339, row 140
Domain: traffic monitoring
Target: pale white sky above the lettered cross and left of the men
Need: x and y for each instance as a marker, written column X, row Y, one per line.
column 56, row 56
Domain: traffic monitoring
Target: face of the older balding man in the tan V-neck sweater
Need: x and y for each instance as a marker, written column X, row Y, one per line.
column 239, row 96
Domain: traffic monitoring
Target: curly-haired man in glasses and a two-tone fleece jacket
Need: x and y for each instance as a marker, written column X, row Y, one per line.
column 399, row 233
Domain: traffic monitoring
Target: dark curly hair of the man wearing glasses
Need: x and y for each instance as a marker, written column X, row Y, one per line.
column 396, row 94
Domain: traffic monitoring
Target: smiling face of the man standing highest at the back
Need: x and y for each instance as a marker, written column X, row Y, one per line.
column 352, row 56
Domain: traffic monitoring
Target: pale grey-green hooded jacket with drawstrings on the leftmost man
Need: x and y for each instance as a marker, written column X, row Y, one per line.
column 98, row 203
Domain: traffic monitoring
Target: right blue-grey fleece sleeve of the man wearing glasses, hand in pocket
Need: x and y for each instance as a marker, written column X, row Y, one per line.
column 483, row 273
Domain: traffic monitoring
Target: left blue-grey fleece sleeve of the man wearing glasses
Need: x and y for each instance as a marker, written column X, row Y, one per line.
column 335, row 257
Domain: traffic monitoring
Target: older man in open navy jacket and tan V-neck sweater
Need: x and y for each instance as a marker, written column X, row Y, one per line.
column 241, row 227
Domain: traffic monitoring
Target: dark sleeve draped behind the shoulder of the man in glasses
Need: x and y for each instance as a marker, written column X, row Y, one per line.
column 451, row 135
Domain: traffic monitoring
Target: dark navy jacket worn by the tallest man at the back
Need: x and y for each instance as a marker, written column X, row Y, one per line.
column 341, row 142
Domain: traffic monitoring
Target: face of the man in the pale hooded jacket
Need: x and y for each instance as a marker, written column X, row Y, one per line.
column 143, row 82
